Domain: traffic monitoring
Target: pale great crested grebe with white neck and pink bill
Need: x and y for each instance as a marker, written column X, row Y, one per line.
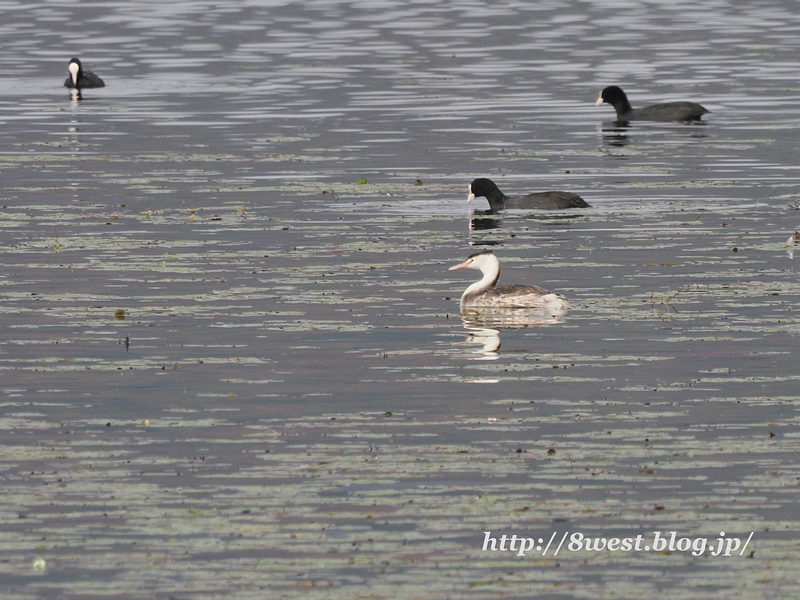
column 485, row 293
